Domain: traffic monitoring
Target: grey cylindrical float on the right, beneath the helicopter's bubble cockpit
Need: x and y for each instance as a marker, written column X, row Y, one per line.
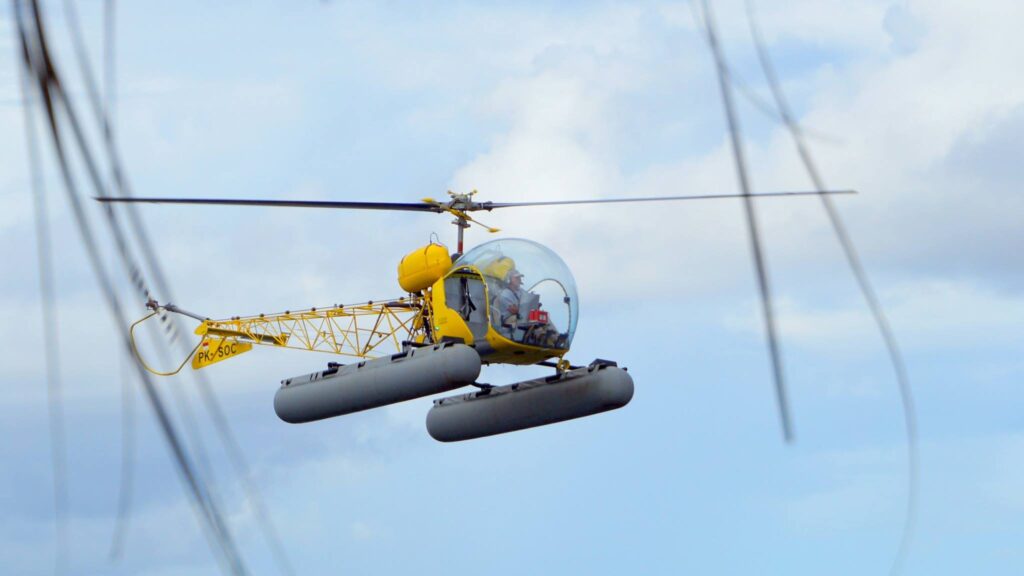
column 599, row 388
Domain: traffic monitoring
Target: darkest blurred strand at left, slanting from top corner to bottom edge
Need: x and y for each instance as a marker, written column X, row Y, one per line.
column 37, row 59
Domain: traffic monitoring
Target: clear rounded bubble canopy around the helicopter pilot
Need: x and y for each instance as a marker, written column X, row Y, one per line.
column 547, row 284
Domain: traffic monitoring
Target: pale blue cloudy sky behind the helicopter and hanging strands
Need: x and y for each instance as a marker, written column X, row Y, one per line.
column 915, row 105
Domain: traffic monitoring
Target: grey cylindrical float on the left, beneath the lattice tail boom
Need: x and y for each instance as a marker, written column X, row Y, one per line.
column 344, row 390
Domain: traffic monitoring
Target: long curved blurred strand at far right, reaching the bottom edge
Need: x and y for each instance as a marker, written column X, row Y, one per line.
column 895, row 357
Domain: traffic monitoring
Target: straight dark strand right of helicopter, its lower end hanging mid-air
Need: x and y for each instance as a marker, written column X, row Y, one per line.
column 752, row 225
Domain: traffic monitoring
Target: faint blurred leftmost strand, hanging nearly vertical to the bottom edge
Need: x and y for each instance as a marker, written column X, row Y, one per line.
column 52, row 349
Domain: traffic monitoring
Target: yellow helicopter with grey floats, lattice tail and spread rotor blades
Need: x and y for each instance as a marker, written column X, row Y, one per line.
column 504, row 302
